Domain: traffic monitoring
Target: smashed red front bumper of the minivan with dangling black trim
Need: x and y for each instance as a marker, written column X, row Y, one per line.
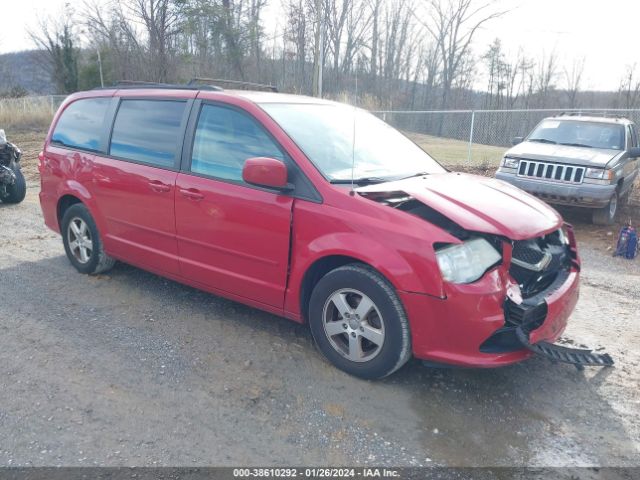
column 484, row 324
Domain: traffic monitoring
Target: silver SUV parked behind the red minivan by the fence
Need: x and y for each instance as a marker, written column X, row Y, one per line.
column 576, row 160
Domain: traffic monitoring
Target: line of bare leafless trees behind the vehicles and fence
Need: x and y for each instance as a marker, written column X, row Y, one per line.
column 395, row 54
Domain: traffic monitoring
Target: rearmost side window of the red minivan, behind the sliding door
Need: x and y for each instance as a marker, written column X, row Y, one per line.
column 81, row 124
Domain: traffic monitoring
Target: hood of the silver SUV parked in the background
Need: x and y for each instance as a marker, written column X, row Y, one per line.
column 588, row 157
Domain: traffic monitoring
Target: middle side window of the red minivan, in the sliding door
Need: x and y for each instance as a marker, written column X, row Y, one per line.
column 148, row 131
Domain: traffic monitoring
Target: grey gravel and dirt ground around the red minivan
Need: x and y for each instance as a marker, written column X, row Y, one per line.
column 132, row 369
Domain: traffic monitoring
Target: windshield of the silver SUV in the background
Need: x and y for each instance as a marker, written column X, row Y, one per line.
column 579, row 134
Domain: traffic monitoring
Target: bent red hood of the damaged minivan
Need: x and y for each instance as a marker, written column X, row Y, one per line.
column 478, row 203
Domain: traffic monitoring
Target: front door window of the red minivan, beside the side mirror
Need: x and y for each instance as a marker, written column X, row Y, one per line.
column 225, row 138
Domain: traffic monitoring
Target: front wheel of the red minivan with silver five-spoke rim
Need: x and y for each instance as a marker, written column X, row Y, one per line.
column 386, row 316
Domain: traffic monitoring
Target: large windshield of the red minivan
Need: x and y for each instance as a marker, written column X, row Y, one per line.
column 325, row 133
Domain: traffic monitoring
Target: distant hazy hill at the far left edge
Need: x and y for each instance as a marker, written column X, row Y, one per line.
column 25, row 69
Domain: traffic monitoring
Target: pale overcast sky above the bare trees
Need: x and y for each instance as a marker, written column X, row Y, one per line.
column 604, row 32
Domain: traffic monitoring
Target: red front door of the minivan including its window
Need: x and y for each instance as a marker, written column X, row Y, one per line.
column 232, row 237
